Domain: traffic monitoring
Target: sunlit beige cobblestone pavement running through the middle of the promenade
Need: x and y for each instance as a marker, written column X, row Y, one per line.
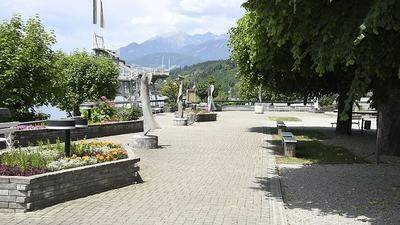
column 208, row 173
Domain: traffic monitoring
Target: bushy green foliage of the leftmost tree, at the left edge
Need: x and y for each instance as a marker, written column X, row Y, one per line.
column 26, row 66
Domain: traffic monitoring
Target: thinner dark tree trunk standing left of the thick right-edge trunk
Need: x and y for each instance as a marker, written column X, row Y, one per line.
column 344, row 126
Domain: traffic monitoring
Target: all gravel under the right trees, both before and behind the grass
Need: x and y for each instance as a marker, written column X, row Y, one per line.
column 341, row 194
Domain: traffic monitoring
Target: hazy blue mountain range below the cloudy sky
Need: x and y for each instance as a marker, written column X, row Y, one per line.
column 177, row 49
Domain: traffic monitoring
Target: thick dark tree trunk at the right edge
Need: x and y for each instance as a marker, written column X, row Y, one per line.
column 388, row 135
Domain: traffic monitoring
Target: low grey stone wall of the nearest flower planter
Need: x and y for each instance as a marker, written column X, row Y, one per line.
column 21, row 194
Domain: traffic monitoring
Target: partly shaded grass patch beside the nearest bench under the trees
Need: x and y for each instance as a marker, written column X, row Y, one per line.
column 310, row 150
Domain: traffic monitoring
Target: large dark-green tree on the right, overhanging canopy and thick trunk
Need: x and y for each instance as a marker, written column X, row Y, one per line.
column 354, row 42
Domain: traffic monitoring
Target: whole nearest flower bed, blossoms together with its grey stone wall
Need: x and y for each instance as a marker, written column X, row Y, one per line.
column 34, row 178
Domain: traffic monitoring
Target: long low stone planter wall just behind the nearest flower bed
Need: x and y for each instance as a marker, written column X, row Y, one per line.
column 29, row 137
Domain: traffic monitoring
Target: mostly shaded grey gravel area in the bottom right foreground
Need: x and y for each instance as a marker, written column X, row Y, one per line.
column 342, row 194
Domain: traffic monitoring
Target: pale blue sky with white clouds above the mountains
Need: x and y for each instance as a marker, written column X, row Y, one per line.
column 126, row 21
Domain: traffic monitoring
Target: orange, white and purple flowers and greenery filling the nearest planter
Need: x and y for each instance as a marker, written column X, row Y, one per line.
column 47, row 157
